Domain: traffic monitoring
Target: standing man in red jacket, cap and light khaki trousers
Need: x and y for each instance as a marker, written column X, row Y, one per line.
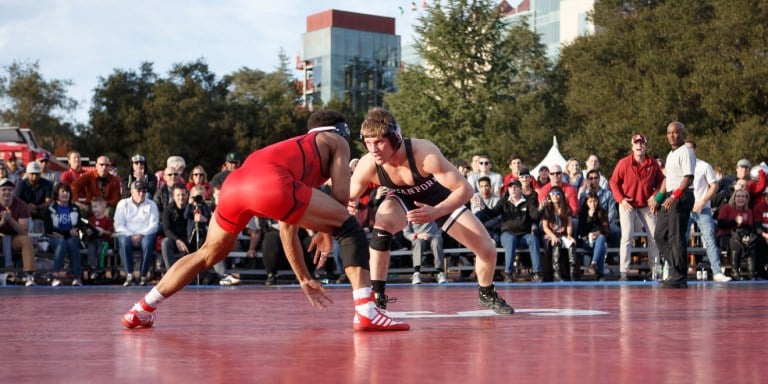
column 635, row 180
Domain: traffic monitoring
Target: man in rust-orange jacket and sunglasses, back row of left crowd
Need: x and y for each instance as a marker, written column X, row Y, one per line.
column 98, row 182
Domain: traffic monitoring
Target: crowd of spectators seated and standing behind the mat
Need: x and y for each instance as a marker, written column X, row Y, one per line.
column 559, row 214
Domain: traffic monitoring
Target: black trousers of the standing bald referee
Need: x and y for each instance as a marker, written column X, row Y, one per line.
column 671, row 226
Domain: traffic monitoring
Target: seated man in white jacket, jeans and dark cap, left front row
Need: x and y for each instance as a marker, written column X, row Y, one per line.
column 136, row 224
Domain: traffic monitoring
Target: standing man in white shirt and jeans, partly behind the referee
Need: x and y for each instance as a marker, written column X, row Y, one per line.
column 704, row 187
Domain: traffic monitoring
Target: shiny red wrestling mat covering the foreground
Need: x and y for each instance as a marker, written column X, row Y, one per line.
column 579, row 333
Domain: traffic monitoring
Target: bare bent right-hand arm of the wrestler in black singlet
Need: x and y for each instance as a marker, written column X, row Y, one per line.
column 433, row 162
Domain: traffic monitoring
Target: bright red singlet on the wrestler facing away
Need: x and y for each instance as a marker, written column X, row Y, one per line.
column 275, row 181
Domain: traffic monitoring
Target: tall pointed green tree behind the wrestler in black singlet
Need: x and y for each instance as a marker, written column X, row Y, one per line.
column 478, row 80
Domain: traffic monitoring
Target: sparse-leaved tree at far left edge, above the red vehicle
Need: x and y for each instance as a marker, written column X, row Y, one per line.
column 37, row 103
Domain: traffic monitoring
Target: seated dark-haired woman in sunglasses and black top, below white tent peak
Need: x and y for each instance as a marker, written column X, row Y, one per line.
column 557, row 224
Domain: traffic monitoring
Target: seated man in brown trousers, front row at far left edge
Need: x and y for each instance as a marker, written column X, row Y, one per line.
column 14, row 222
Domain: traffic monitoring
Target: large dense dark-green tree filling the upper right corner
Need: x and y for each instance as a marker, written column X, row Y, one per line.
column 651, row 62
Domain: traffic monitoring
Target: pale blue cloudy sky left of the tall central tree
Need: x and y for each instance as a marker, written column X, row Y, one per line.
column 83, row 40
